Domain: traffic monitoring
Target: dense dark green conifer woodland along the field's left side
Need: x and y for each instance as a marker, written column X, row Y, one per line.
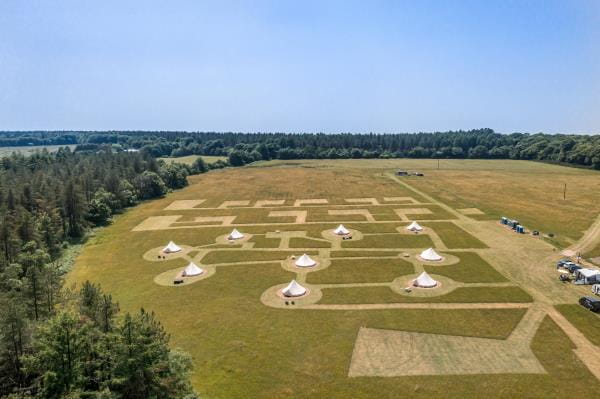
column 47, row 201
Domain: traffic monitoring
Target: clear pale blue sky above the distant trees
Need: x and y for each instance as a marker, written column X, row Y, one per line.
column 331, row 66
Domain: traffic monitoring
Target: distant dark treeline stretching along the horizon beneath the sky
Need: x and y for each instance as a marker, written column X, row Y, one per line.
column 242, row 148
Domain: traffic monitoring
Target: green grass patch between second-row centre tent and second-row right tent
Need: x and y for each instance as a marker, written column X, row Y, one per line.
column 361, row 271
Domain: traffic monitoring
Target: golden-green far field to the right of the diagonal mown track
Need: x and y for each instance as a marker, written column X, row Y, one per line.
column 527, row 191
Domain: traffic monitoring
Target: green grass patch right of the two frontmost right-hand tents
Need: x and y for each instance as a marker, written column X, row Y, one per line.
column 471, row 268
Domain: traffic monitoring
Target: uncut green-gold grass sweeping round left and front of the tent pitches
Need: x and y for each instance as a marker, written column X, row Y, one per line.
column 242, row 348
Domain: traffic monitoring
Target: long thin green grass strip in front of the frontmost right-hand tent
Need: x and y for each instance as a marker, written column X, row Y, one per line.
column 365, row 295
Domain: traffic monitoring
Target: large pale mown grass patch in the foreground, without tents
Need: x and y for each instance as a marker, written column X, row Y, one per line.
column 386, row 353
